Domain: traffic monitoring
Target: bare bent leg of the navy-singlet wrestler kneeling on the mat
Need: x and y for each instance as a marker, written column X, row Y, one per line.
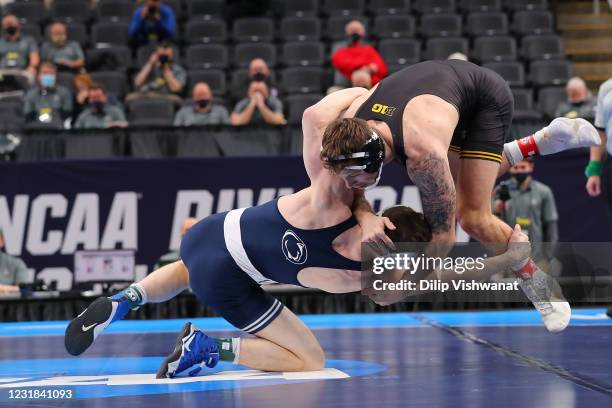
column 286, row 344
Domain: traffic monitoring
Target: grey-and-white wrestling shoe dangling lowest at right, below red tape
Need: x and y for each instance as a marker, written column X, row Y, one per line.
column 545, row 294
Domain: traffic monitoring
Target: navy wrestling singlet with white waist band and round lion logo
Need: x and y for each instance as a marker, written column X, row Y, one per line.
column 229, row 255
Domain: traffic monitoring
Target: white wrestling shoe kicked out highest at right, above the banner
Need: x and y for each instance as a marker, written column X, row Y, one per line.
column 564, row 134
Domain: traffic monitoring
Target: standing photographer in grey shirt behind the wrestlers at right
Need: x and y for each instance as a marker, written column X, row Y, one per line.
column 531, row 204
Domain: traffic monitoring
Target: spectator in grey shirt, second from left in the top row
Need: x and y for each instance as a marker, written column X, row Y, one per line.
column 66, row 55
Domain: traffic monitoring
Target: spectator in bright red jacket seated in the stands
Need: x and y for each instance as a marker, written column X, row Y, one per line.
column 356, row 56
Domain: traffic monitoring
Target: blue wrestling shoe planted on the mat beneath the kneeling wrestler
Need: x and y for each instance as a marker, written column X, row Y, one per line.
column 192, row 347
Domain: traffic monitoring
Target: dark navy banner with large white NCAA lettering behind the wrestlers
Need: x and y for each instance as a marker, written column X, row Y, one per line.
column 49, row 210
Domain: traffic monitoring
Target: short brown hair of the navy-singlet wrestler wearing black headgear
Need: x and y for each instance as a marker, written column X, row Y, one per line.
column 343, row 137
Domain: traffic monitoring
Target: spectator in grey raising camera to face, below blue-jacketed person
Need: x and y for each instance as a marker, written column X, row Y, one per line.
column 160, row 77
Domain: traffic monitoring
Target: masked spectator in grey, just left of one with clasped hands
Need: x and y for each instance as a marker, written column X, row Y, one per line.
column 202, row 111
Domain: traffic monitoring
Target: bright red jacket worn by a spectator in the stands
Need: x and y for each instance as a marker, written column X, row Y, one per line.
column 351, row 58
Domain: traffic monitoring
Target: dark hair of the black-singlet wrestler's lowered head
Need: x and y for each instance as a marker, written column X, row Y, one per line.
column 411, row 226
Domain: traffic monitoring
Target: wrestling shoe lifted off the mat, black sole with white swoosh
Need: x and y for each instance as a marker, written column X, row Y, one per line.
column 83, row 329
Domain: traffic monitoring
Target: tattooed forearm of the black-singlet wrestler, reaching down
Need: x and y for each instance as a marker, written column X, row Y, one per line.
column 430, row 171
